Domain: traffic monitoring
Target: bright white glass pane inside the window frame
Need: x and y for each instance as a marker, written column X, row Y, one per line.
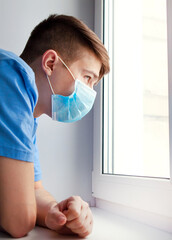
column 136, row 120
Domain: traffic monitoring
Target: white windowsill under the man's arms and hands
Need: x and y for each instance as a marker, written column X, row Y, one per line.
column 106, row 226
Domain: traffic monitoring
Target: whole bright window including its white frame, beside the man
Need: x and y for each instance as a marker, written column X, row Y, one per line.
column 133, row 126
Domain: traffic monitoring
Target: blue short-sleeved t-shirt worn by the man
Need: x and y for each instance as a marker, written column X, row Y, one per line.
column 18, row 98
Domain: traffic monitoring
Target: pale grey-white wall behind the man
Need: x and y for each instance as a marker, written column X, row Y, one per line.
column 66, row 150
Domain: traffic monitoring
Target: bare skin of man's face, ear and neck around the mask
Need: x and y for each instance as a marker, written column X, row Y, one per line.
column 86, row 69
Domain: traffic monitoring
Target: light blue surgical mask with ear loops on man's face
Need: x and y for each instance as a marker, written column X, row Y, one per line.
column 75, row 106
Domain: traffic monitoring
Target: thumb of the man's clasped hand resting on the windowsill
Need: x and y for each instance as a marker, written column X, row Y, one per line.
column 55, row 219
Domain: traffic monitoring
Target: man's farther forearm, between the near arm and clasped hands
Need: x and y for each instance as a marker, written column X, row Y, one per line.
column 44, row 202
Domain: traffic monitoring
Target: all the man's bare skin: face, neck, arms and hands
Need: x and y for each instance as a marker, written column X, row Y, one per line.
column 22, row 207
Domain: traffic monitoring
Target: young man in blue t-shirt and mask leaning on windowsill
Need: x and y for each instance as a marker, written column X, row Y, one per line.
column 62, row 61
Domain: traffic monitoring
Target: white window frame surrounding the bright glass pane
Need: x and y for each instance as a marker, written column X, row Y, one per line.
column 151, row 196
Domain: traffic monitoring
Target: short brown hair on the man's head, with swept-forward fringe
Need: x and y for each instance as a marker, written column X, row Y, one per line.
column 64, row 34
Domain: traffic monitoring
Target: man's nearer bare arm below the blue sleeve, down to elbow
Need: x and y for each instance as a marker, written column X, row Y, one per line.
column 17, row 198
